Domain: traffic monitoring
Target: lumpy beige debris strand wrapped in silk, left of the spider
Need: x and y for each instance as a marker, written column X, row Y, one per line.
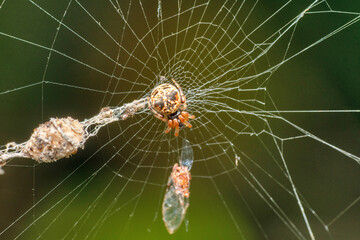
column 62, row 137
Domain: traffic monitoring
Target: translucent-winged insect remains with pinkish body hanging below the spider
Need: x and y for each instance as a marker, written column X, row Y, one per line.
column 176, row 200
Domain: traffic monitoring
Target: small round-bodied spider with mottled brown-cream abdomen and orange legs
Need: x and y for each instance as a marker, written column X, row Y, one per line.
column 168, row 103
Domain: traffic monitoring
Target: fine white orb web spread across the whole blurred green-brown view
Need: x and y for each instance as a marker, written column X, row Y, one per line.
column 273, row 89
